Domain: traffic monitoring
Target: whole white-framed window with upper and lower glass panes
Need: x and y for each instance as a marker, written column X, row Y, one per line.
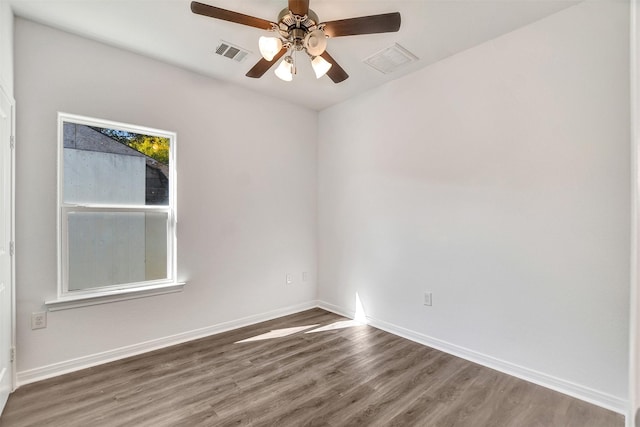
column 117, row 213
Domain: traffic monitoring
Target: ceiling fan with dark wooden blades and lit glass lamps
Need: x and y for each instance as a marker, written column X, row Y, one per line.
column 299, row 30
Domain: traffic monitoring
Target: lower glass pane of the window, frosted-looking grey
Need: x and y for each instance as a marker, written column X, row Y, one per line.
column 115, row 248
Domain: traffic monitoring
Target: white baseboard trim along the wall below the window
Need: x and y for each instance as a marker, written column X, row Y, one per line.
column 60, row 368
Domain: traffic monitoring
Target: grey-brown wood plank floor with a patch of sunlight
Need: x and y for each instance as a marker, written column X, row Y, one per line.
column 350, row 376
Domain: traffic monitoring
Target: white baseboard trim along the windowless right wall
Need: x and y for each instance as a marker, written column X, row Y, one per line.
column 578, row 391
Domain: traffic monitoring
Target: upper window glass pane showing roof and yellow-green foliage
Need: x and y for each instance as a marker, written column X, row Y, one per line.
column 109, row 166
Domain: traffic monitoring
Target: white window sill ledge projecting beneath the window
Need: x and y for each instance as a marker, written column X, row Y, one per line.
column 84, row 300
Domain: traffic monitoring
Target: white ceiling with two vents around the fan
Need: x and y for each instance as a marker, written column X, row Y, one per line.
column 167, row 30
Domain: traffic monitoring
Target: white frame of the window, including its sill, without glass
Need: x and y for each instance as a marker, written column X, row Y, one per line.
column 98, row 295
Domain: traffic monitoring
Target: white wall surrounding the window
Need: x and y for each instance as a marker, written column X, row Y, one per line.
column 246, row 201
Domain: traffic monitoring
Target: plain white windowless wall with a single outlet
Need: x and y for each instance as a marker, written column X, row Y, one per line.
column 497, row 179
